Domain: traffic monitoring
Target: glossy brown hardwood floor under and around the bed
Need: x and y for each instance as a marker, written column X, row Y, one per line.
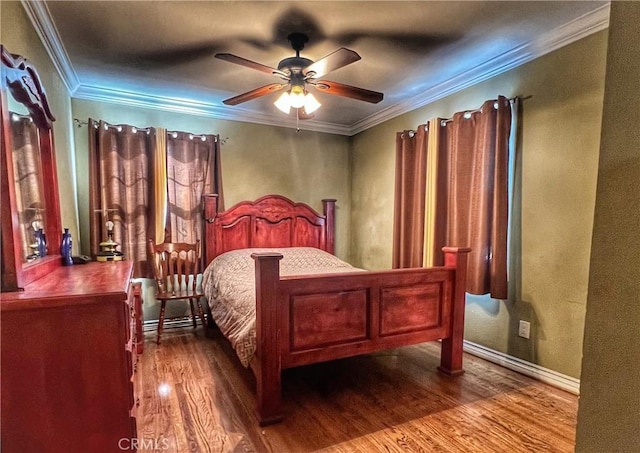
column 196, row 397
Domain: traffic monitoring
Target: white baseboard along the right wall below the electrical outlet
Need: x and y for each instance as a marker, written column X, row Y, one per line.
column 542, row 374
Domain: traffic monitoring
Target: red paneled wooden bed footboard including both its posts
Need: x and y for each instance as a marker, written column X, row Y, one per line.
column 308, row 319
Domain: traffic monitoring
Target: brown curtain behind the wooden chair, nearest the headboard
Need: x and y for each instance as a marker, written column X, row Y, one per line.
column 193, row 169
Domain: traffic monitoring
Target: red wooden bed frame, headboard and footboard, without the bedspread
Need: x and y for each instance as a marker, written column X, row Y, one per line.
column 308, row 319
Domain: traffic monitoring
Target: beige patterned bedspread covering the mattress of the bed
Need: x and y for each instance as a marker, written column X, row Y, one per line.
column 229, row 284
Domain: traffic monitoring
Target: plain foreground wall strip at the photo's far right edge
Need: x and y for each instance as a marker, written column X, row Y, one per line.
column 609, row 411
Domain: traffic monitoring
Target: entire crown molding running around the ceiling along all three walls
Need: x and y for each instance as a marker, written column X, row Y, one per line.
column 568, row 33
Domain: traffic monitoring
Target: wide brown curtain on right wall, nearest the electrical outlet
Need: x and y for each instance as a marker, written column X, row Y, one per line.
column 474, row 149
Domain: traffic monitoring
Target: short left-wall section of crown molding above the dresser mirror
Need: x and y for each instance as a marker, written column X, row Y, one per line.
column 40, row 17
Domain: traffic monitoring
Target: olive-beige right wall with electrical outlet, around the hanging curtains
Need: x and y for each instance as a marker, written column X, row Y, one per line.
column 555, row 196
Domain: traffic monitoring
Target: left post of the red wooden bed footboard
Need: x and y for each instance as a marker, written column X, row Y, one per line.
column 268, row 371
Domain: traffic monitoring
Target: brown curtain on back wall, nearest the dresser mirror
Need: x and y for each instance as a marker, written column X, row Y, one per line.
column 119, row 179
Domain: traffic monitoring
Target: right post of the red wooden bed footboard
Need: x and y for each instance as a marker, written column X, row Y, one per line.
column 451, row 353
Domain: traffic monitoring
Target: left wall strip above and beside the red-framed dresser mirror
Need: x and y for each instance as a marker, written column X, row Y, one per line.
column 19, row 37
